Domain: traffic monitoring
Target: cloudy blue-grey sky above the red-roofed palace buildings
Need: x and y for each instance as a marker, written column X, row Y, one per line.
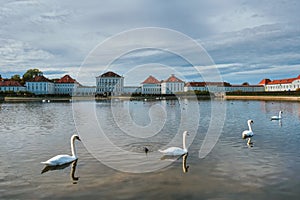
column 247, row 40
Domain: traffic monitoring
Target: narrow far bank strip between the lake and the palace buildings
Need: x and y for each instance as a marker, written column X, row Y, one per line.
column 92, row 98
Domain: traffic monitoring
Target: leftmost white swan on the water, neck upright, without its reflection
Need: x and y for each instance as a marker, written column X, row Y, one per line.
column 64, row 159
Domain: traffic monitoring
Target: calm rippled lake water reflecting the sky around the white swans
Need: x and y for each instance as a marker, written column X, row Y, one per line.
column 33, row 132
